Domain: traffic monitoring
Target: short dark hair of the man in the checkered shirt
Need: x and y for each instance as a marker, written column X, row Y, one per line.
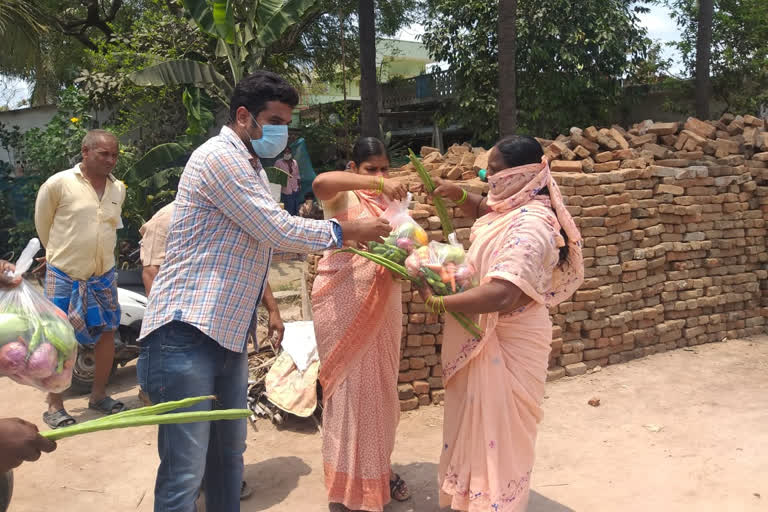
column 255, row 90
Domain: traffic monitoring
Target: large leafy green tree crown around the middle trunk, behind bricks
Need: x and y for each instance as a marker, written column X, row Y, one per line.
column 570, row 59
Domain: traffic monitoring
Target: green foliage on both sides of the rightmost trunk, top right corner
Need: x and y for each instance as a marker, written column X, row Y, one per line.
column 739, row 65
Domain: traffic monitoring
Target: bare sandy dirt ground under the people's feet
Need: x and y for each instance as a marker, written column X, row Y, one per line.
column 679, row 431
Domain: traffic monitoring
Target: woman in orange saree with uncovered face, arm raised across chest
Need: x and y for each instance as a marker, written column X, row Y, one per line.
column 357, row 310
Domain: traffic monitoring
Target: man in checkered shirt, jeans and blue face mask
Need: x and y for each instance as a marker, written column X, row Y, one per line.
column 203, row 301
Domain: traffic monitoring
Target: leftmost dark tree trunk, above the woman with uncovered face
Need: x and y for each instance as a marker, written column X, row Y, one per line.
column 369, row 100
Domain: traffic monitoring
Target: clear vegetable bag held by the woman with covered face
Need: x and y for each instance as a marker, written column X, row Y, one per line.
column 443, row 266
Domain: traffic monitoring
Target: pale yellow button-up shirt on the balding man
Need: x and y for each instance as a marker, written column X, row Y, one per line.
column 79, row 231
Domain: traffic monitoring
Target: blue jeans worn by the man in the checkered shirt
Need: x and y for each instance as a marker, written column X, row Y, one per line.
column 178, row 361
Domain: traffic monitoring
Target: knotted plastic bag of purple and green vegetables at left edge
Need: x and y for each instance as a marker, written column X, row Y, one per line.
column 37, row 343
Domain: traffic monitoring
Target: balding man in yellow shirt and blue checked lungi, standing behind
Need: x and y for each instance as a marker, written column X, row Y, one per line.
column 77, row 215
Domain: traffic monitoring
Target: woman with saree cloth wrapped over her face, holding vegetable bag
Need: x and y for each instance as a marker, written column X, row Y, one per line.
column 526, row 250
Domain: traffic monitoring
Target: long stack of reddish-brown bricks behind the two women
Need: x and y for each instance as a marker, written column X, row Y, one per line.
column 673, row 217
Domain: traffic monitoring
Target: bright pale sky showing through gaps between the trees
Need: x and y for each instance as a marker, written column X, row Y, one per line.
column 658, row 21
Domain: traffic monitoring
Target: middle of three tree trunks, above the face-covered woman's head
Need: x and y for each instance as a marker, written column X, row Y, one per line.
column 507, row 69
